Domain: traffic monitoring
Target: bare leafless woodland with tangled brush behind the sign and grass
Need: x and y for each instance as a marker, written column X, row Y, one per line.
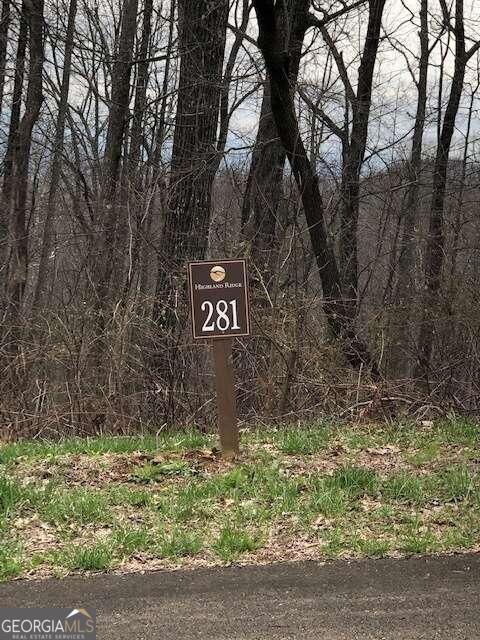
column 334, row 144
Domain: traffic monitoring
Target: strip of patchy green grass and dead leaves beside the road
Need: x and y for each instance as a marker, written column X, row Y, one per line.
column 319, row 491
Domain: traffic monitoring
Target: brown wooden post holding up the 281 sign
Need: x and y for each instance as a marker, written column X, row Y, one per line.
column 227, row 418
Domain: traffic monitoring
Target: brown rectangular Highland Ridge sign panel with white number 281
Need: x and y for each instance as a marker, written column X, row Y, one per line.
column 219, row 298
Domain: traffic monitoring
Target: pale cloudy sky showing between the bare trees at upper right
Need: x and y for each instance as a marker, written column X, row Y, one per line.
column 394, row 101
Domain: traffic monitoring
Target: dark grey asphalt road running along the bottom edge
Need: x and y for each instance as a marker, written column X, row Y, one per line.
column 417, row 598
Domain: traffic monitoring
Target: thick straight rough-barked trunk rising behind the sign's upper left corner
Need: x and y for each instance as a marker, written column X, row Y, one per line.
column 202, row 36
